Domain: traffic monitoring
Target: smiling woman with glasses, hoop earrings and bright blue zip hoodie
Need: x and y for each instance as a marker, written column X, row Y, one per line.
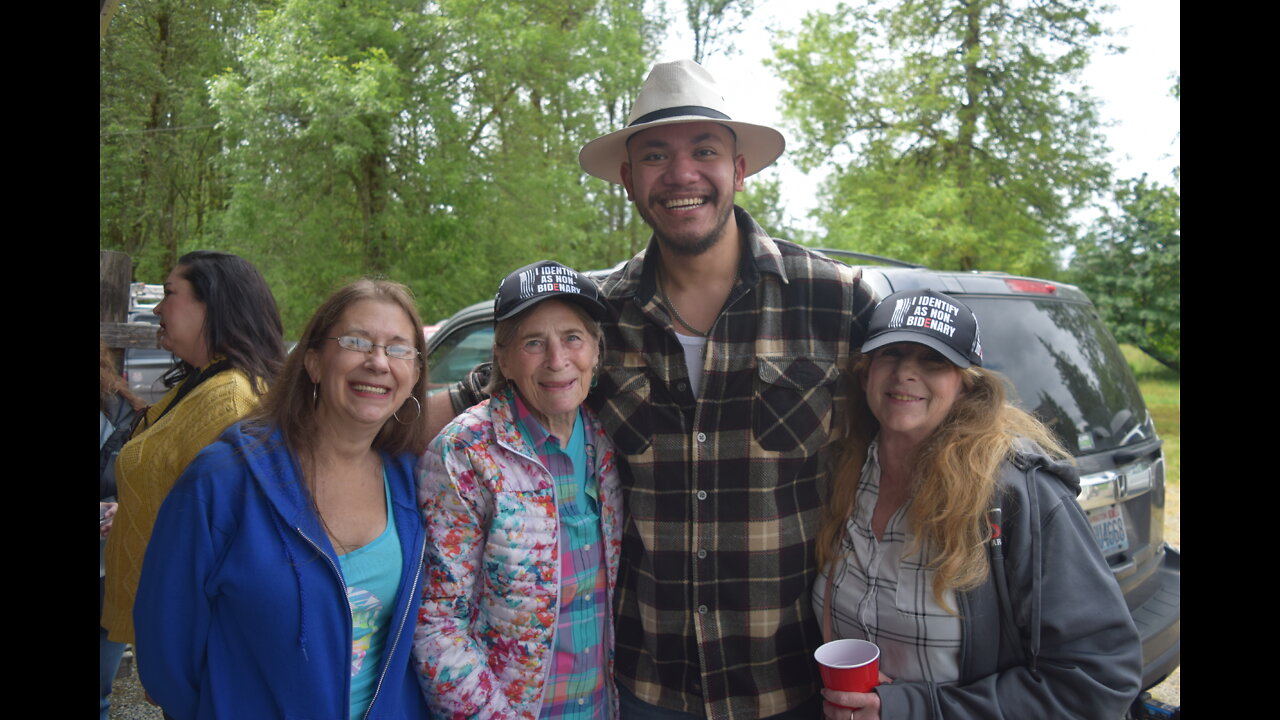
column 285, row 568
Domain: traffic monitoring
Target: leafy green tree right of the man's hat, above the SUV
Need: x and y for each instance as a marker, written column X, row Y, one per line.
column 954, row 129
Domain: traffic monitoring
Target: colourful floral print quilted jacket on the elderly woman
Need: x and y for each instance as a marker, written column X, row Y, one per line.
column 486, row 634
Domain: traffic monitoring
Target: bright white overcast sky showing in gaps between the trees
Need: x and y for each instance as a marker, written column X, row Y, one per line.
column 1133, row 88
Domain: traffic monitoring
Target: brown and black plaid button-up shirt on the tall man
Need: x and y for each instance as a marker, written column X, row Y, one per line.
column 723, row 493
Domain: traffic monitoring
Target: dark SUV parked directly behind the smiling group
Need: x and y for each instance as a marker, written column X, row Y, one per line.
column 1067, row 368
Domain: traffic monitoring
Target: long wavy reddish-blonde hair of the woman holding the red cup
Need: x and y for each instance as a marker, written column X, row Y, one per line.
column 954, row 476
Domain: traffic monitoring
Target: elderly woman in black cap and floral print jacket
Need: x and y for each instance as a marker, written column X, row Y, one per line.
column 523, row 511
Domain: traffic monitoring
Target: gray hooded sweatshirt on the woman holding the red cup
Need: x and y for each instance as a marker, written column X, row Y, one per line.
column 1073, row 650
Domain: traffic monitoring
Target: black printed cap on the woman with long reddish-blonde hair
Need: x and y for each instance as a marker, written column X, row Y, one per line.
column 927, row 318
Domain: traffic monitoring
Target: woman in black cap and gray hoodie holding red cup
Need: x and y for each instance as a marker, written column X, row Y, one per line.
column 956, row 544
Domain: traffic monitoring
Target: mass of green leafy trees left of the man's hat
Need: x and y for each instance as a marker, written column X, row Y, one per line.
column 435, row 144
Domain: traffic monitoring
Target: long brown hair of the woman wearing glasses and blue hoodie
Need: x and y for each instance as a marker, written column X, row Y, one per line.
column 289, row 404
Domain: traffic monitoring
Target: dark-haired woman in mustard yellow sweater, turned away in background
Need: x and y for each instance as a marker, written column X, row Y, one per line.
column 220, row 318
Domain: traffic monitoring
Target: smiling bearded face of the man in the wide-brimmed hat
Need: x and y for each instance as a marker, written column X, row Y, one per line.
column 683, row 179
